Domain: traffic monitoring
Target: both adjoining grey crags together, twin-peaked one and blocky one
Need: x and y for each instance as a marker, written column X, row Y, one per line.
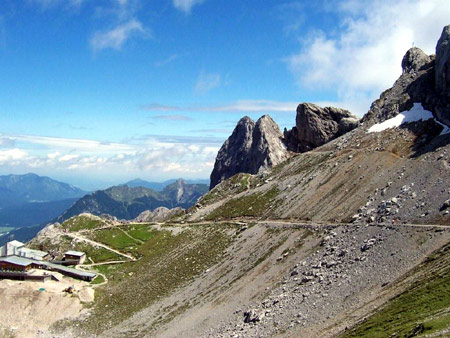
column 254, row 147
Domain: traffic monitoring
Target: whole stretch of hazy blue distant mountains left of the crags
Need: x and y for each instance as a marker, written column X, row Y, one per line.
column 28, row 202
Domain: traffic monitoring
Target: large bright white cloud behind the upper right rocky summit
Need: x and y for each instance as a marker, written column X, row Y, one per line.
column 364, row 58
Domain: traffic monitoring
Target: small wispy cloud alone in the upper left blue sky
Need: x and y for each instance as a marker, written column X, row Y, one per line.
column 116, row 37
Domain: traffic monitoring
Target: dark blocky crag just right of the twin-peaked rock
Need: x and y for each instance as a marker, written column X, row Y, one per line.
column 316, row 126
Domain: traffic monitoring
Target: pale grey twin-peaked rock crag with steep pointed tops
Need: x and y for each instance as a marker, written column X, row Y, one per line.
column 252, row 147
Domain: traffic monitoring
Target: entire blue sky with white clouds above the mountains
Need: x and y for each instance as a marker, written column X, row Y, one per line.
column 100, row 92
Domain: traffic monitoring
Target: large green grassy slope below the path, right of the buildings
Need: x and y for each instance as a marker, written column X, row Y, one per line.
column 165, row 262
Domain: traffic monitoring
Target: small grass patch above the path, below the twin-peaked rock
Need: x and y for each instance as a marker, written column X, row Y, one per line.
column 254, row 205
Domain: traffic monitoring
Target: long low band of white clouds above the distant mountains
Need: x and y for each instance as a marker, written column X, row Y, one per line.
column 162, row 157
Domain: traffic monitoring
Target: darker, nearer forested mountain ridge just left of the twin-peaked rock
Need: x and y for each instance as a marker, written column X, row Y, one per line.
column 125, row 202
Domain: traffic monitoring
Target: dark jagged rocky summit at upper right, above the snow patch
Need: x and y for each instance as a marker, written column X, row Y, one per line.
column 425, row 79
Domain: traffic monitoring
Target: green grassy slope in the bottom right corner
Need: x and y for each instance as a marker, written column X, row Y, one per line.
column 424, row 307
